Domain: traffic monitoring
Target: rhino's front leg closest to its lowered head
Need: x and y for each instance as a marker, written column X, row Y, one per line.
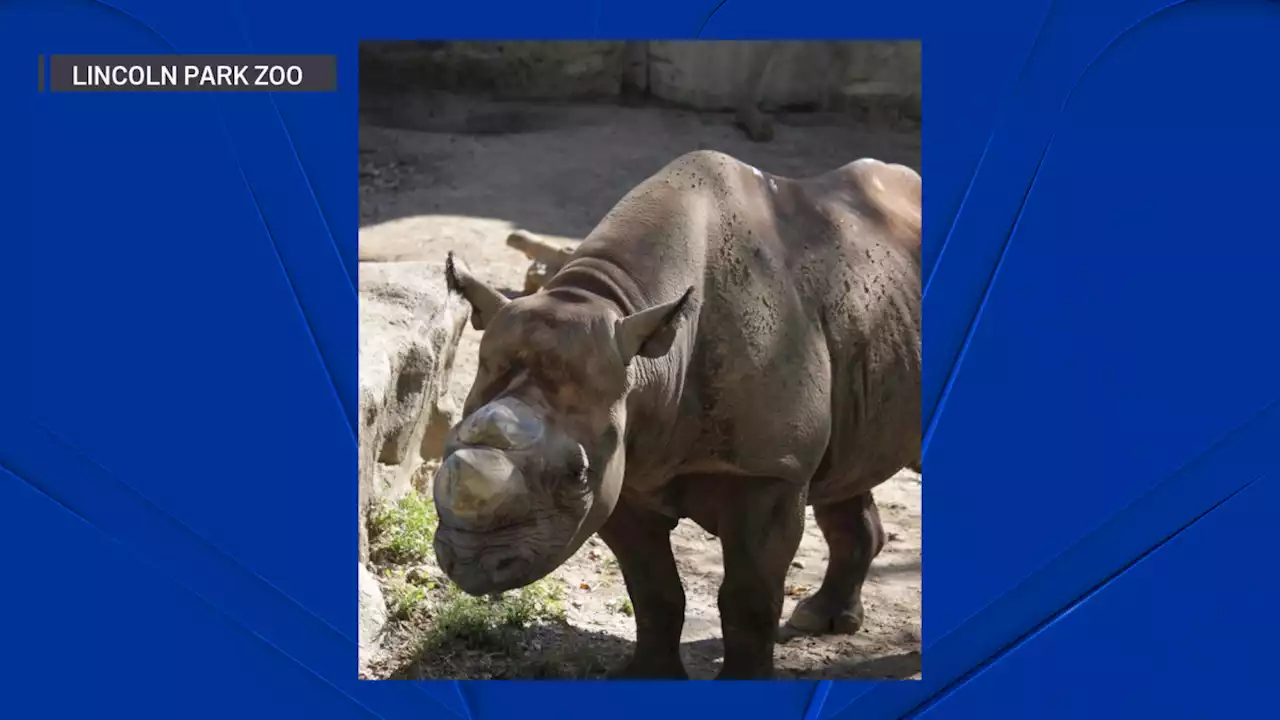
column 642, row 543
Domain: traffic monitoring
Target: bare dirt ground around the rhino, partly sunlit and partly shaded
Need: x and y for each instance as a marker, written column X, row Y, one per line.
column 460, row 176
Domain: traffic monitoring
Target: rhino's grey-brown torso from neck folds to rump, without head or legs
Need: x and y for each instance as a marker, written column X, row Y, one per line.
column 804, row 349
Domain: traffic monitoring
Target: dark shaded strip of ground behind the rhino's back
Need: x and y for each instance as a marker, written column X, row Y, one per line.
column 557, row 170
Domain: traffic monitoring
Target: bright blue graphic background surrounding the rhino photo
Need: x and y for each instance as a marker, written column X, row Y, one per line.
column 1103, row 363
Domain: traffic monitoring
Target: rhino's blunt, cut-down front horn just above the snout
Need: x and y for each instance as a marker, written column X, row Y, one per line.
column 476, row 485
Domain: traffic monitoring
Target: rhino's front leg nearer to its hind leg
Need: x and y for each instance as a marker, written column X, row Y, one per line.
column 761, row 526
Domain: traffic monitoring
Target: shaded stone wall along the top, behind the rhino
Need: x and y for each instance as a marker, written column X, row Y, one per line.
column 701, row 76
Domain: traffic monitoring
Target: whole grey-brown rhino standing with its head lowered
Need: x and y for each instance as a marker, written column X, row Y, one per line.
column 726, row 347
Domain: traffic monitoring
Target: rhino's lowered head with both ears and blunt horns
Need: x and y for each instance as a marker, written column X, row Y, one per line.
column 536, row 466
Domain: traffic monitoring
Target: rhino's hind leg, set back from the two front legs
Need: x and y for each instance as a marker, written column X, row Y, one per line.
column 854, row 537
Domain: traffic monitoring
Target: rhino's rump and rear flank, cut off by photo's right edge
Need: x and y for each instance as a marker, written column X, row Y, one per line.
column 874, row 302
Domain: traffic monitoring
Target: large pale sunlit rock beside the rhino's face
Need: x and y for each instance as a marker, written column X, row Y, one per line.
column 410, row 327
